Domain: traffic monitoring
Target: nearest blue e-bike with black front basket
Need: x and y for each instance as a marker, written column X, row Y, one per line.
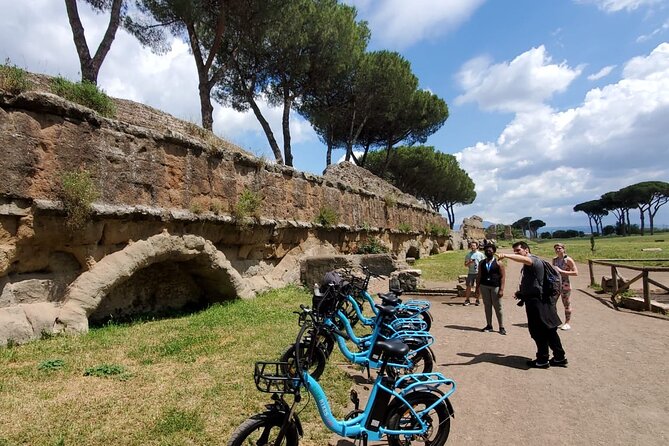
column 404, row 410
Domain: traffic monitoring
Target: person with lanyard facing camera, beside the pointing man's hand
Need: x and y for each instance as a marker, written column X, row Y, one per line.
column 490, row 282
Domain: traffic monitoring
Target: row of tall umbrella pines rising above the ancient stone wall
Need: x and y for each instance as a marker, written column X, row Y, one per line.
column 305, row 56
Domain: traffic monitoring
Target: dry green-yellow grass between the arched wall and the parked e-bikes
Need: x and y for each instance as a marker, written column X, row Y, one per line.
column 185, row 380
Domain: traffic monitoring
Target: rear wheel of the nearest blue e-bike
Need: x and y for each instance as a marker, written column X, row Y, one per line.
column 438, row 420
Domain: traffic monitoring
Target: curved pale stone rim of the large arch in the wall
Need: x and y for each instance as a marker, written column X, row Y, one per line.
column 86, row 293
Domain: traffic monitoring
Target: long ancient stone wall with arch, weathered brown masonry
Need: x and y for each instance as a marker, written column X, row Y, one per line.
column 162, row 235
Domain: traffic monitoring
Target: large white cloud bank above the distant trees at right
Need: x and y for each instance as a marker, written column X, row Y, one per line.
column 547, row 161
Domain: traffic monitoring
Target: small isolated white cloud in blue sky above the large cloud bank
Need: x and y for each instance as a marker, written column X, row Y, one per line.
column 523, row 84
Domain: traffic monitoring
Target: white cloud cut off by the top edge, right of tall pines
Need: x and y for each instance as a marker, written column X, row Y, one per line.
column 401, row 23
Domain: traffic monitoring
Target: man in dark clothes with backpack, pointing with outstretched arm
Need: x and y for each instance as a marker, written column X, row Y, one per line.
column 542, row 317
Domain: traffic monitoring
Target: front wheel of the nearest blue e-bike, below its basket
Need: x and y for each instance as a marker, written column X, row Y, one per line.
column 262, row 430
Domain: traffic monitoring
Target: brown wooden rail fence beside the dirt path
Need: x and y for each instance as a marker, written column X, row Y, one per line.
column 644, row 275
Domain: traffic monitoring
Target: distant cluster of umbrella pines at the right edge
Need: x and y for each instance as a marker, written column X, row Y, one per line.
column 647, row 197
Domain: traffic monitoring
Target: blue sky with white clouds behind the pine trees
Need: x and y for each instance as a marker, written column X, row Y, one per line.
column 551, row 103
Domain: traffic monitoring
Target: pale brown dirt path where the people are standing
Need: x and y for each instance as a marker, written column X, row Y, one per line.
column 614, row 392
